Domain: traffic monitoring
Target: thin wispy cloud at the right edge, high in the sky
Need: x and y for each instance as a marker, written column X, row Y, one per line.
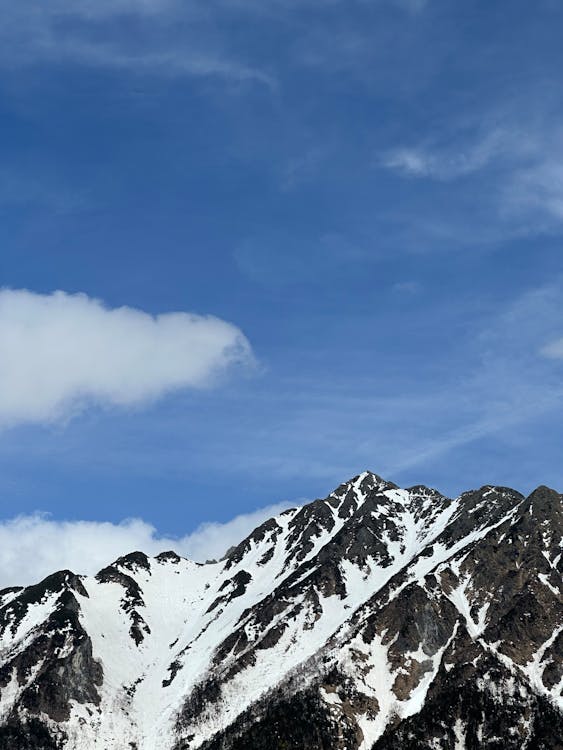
column 520, row 173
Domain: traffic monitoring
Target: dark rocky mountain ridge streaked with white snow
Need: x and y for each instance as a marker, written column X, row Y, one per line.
column 378, row 618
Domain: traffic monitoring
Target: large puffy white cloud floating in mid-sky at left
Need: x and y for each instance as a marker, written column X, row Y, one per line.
column 60, row 352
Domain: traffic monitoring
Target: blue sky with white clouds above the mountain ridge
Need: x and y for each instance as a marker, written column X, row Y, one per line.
column 250, row 249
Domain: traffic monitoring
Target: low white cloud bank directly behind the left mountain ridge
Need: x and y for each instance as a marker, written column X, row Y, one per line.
column 32, row 547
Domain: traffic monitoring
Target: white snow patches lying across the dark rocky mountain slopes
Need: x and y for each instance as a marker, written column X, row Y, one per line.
column 141, row 696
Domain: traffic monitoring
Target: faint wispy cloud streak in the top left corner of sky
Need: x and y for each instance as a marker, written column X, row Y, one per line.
column 162, row 37
